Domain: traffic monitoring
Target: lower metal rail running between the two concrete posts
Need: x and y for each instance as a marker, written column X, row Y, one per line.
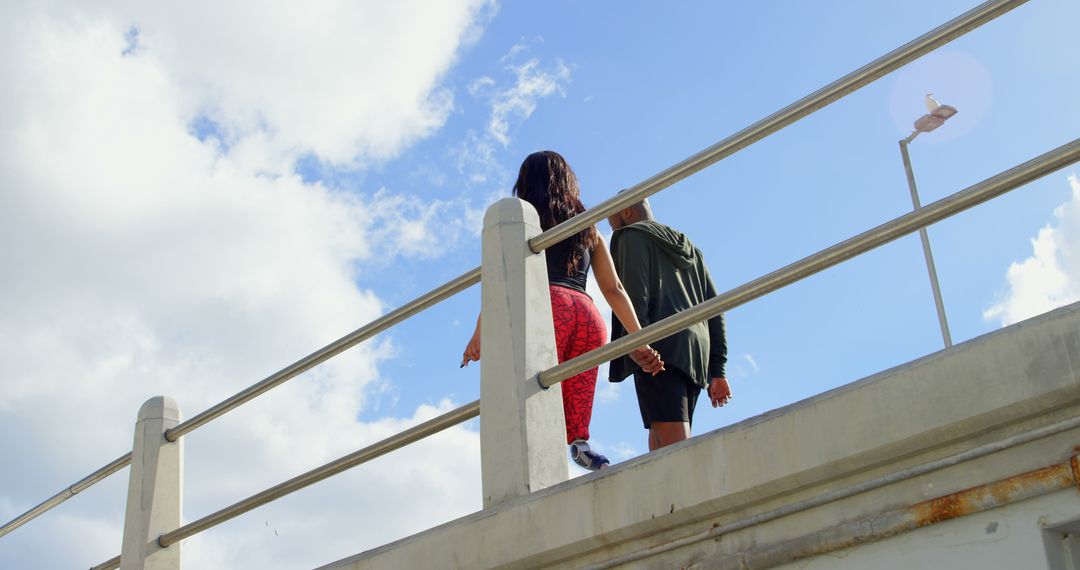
column 381, row 449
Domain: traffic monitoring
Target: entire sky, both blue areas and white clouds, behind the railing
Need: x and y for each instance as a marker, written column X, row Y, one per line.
column 195, row 196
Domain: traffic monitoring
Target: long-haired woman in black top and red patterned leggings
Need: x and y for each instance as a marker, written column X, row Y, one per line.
column 547, row 182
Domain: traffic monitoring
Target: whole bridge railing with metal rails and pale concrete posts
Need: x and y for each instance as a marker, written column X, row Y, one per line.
column 519, row 365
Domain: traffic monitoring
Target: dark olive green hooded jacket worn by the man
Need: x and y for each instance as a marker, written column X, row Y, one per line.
column 665, row 274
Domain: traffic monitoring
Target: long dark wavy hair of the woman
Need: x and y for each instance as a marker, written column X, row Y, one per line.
column 548, row 183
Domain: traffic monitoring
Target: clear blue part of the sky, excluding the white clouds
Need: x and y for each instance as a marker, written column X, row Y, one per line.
column 652, row 86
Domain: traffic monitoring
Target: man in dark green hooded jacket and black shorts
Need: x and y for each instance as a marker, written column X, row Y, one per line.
column 664, row 275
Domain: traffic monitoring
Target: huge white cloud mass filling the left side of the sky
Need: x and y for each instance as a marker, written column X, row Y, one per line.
column 139, row 261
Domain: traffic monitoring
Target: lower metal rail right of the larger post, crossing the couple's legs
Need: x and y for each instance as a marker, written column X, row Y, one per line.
column 974, row 196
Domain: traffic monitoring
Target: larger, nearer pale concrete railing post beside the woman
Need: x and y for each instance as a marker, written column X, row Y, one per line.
column 523, row 432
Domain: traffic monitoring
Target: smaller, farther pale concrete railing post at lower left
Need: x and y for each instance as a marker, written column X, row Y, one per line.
column 155, row 491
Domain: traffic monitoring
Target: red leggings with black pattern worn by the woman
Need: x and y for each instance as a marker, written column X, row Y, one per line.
column 579, row 329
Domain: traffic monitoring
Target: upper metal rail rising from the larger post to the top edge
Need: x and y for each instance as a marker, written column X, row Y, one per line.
column 816, row 101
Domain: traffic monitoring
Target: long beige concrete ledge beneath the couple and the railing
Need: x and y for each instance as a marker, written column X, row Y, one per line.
column 1016, row 378
